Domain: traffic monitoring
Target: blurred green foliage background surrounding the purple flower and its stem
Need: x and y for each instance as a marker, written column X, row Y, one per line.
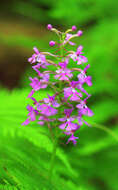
column 26, row 151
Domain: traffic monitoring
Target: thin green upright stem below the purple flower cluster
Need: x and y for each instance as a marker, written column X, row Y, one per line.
column 53, row 158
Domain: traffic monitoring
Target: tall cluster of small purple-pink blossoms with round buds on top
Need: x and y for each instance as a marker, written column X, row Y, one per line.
column 68, row 104
